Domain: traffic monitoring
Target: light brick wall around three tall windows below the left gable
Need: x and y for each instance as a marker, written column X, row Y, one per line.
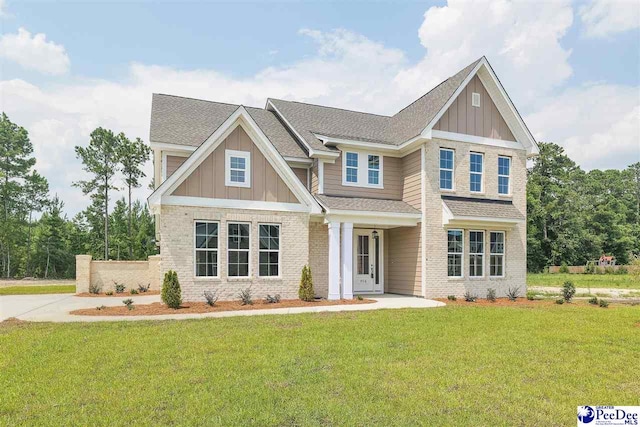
column 177, row 250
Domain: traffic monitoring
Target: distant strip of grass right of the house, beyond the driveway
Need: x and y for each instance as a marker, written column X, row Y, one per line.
column 614, row 281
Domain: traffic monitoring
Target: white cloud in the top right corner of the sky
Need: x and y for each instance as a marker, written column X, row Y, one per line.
column 603, row 18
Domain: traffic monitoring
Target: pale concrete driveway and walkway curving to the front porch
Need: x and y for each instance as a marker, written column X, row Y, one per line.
column 56, row 307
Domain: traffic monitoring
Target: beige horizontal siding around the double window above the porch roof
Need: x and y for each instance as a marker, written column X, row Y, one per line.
column 392, row 171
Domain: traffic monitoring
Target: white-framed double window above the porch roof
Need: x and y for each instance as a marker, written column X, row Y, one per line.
column 362, row 170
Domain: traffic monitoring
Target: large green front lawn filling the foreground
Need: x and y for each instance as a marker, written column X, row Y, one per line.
column 450, row 366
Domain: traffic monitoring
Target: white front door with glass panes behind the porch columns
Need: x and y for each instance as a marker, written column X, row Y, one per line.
column 367, row 276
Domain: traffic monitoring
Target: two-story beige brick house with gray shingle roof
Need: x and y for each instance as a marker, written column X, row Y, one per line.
column 428, row 202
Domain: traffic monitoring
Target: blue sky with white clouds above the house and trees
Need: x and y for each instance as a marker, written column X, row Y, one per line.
column 572, row 69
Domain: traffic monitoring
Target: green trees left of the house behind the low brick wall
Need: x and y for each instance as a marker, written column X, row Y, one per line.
column 37, row 239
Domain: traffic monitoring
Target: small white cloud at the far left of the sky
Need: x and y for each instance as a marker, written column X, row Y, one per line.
column 34, row 52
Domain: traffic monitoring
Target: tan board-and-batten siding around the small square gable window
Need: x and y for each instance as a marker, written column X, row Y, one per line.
column 208, row 180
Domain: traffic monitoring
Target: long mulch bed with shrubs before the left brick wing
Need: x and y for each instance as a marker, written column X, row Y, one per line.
column 158, row 308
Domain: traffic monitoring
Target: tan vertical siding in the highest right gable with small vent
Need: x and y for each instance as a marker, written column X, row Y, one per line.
column 485, row 121
